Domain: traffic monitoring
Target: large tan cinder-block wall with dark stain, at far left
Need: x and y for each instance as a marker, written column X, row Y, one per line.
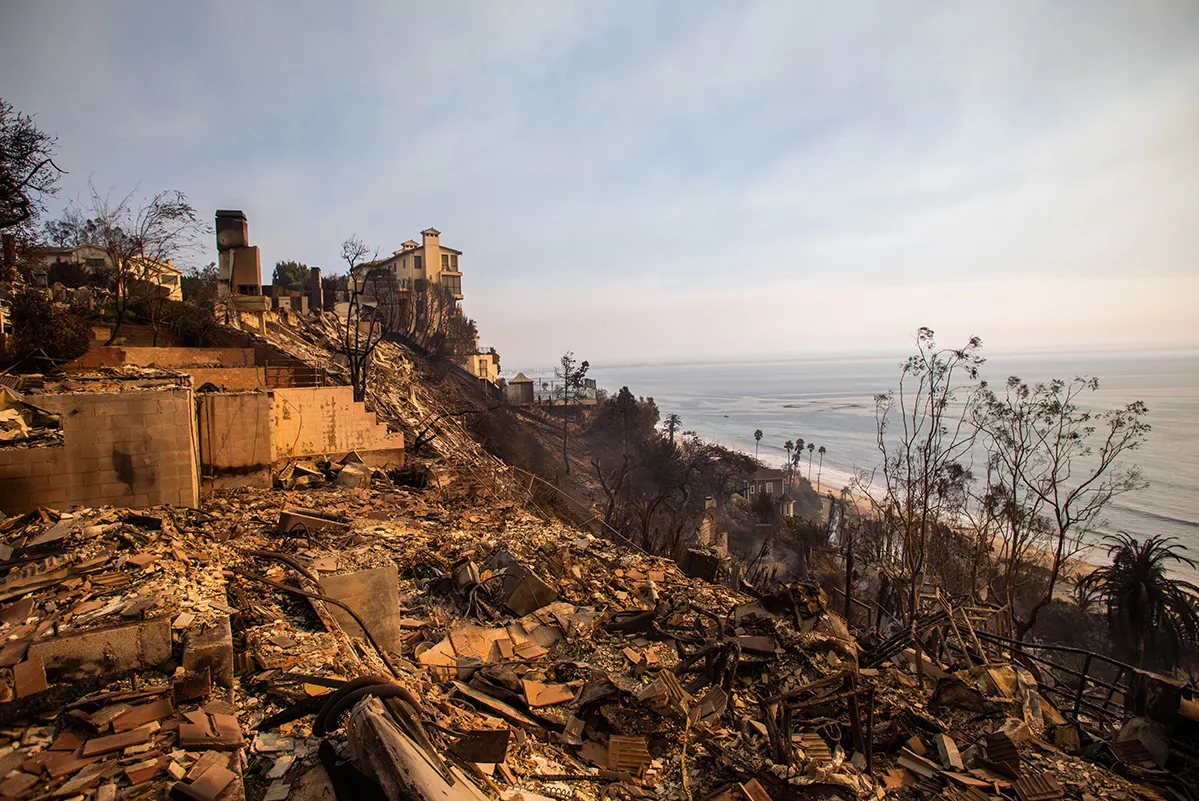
column 125, row 449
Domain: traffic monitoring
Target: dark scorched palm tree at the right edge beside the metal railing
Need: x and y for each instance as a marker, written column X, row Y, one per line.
column 1149, row 613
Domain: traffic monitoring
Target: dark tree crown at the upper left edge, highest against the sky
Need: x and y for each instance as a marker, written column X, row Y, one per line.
column 28, row 172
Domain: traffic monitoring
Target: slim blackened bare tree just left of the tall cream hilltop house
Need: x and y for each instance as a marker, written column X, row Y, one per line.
column 369, row 318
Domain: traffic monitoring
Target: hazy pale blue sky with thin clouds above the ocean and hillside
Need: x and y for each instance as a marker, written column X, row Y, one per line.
column 654, row 182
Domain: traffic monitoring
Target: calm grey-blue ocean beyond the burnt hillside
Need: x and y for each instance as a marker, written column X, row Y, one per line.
column 830, row 402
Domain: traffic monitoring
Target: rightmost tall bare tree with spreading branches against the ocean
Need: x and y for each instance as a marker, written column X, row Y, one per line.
column 1061, row 466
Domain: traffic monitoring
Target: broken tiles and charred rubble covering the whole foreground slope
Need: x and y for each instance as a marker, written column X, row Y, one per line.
column 361, row 634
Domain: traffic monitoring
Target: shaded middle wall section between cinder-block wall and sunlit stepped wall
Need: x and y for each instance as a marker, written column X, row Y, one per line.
column 236, row 439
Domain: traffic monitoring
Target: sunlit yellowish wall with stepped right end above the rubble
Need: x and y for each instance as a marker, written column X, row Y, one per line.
column 324, row 420
